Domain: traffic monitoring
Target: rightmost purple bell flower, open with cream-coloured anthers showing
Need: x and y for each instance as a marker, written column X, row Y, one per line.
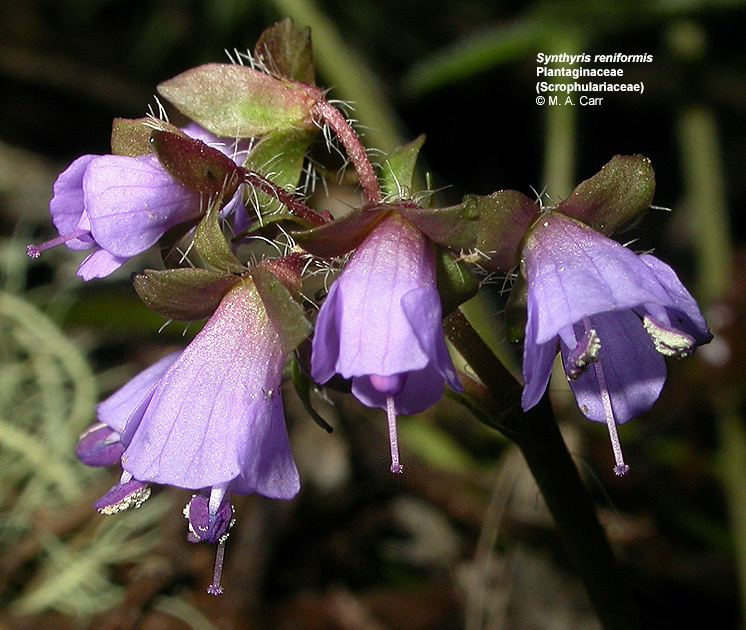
column 615, row 316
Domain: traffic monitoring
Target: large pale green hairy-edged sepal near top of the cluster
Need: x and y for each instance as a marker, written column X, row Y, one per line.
column 239, row 102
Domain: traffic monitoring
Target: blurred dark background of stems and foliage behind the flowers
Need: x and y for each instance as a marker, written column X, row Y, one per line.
column 463, row 540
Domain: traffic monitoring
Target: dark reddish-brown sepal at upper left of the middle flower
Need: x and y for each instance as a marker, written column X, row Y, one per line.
column 343, row 235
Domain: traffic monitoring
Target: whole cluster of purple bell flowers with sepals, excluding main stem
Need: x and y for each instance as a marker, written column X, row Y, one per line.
column 209, row 418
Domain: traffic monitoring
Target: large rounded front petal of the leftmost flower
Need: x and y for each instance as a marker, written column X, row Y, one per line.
column 131, row 202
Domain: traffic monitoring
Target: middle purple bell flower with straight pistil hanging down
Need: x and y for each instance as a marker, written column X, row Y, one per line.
column 381, row 326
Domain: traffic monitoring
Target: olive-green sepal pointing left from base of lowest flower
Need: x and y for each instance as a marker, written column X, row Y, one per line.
column 183, row 294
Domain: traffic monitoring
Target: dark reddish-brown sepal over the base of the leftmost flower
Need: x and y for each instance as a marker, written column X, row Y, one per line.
column 195, row 164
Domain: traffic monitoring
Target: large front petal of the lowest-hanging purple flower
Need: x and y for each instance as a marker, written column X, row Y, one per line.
column 214, row 406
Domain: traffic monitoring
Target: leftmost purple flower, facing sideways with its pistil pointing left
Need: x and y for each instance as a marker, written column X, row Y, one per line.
column 119, row 206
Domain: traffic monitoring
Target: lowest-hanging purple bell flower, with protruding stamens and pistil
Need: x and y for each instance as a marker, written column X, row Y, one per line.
column 209, row 418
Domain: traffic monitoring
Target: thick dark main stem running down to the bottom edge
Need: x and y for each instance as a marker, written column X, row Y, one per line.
column 537, row 436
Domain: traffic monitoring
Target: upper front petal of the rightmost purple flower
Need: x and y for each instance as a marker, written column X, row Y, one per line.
column 574, row 272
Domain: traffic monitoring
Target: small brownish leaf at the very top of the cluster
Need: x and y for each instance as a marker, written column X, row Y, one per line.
column 286, row 50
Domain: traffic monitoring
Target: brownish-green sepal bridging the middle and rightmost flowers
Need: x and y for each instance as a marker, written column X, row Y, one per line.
column 493, row 224
